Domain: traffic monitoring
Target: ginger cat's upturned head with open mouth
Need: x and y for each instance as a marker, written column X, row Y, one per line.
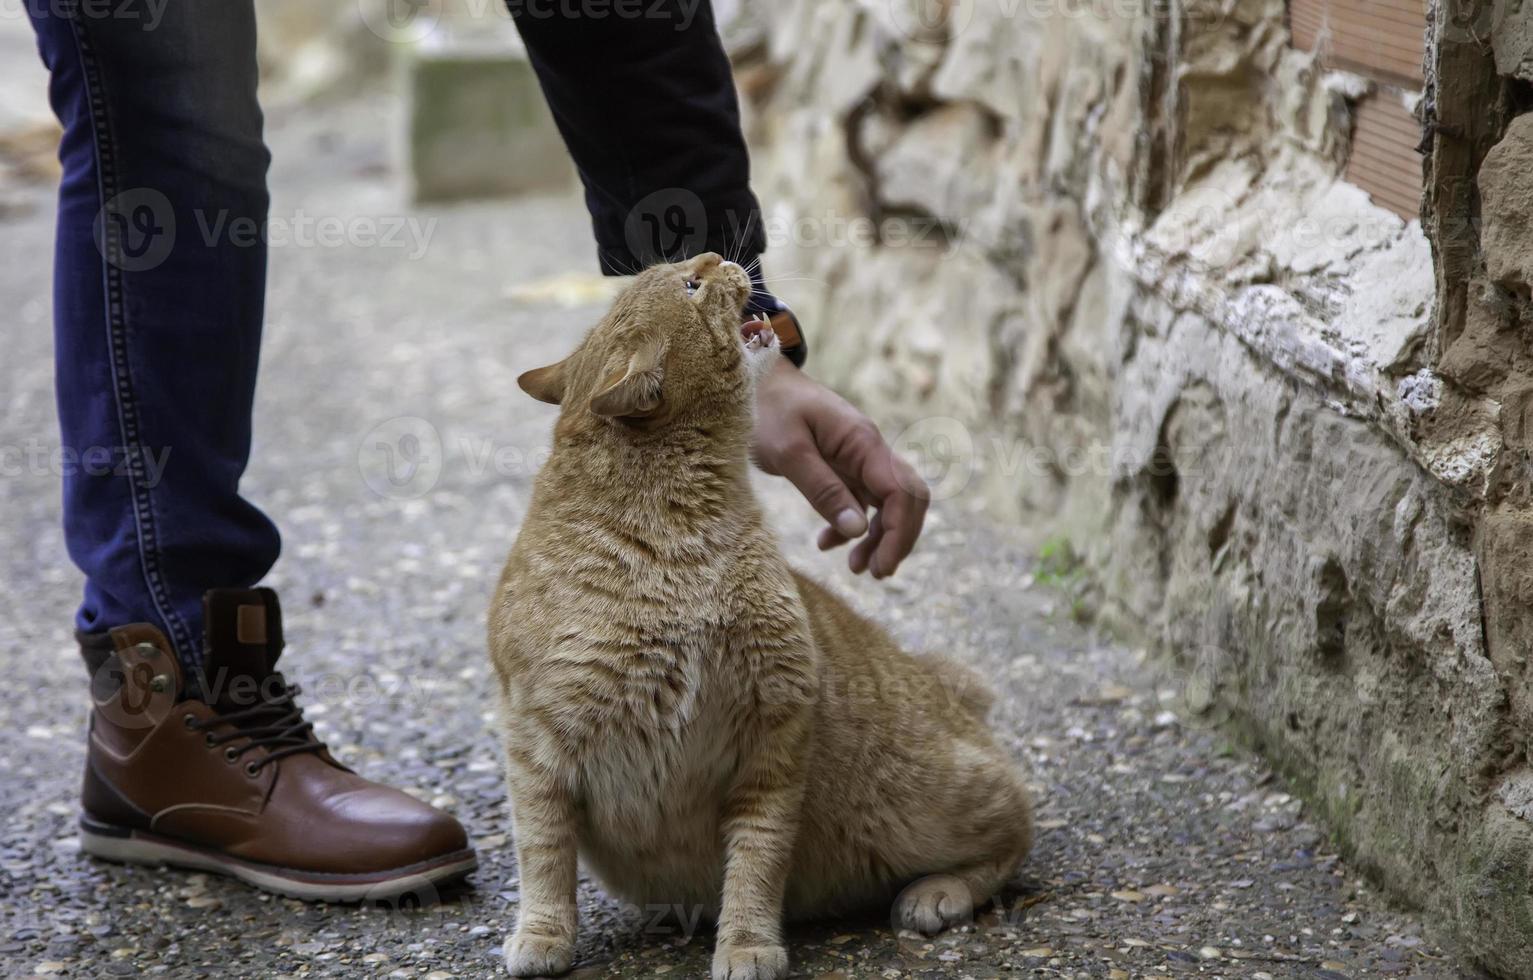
column 677, row 347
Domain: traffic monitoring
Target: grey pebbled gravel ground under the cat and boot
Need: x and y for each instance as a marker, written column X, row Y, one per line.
column 1161, row 852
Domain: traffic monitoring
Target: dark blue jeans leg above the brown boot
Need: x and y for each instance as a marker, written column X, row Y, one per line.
column 157, row 303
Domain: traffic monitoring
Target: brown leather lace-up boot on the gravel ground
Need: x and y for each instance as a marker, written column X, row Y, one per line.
column 222, row 772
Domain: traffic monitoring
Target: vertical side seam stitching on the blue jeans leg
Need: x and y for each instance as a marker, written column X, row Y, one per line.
column 117, row 347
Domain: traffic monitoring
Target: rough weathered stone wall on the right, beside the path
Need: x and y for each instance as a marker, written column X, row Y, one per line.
column 1097, row 261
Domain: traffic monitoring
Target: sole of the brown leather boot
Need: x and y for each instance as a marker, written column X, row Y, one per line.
column 419, row 884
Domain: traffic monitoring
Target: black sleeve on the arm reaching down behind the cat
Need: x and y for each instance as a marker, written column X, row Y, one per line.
column 646, row 102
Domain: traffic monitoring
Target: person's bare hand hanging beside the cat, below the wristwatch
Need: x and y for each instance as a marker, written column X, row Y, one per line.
column 839, row 461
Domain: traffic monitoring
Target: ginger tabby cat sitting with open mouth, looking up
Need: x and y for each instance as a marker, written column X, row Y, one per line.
column 700, row 725
